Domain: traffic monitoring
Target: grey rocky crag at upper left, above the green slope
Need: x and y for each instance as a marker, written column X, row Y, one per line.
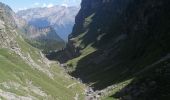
column 7, row 26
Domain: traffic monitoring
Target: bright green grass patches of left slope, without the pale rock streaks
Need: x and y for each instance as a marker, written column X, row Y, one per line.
column 14, row 69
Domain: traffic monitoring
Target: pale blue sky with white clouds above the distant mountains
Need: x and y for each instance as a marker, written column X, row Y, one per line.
column 25, row 4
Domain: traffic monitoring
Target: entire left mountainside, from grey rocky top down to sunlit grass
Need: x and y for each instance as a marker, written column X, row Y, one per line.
column 25, row 74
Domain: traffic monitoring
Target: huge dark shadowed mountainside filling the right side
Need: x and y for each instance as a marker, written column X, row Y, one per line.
column 115, row 42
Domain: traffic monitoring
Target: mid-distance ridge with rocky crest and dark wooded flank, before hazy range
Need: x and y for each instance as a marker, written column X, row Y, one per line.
column 45, row 38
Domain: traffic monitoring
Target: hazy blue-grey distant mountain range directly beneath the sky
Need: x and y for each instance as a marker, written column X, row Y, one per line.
column 61, row 18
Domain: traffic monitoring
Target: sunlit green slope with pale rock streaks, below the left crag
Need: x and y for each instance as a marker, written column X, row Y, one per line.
column 44, row 80
